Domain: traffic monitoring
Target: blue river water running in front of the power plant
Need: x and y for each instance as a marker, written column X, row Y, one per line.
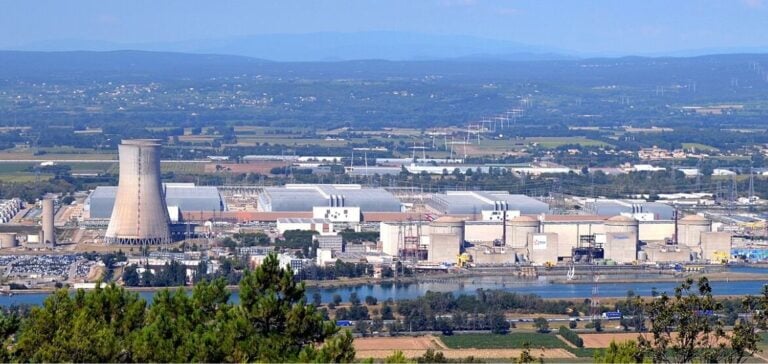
column 541, row 287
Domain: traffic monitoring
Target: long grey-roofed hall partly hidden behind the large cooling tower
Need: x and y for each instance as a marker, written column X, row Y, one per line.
column 186, row 197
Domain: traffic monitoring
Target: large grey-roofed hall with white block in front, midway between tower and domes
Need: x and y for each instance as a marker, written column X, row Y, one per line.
column 338, row 203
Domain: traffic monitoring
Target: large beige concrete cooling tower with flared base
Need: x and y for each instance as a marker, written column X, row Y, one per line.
column 140, row 215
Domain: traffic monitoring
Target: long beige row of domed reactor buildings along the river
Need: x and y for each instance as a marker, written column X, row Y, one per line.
column 553, row 239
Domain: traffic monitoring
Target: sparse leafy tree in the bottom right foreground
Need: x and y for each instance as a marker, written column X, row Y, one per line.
column 685, row 329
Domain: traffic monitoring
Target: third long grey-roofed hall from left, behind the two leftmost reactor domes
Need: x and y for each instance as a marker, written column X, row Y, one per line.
column 474, row 202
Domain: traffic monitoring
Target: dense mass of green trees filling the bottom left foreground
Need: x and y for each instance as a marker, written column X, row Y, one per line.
column 272, row 323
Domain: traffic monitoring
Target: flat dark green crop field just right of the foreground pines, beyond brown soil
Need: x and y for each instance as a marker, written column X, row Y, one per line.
column 515, row 340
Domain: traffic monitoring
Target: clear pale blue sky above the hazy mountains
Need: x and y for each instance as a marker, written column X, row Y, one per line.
column 607, row 26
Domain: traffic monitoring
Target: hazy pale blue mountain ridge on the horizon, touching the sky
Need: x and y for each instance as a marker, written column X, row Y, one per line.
column 330, row 46
